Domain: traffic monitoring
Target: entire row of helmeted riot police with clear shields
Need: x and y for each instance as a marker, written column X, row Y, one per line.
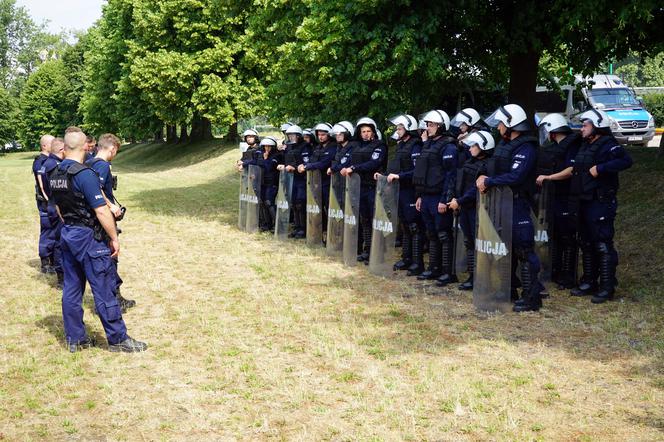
column 511, row 214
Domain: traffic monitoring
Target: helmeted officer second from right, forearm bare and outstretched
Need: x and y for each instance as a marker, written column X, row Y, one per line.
column 554, row 163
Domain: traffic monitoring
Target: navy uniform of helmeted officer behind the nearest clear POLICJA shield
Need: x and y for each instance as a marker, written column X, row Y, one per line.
column 514, row 164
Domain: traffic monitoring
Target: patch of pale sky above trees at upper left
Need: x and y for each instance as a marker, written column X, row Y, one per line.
column 64, row 15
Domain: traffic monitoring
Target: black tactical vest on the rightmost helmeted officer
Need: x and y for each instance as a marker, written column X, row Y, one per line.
column 583, row 184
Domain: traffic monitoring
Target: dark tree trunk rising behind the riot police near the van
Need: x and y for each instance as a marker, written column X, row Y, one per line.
column 523, row 81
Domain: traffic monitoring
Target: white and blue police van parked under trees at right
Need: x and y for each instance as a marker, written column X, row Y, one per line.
column 631, row 123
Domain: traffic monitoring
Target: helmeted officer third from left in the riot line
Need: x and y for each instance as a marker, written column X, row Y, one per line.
column 297, row 153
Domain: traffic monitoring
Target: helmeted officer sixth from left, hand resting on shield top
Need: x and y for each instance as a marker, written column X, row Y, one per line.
column 365, row 159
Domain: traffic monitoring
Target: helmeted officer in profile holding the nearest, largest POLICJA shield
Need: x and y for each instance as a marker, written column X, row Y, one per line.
column 514, row 164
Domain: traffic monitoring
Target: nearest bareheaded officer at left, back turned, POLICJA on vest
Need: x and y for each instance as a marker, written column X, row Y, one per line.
column 89, row 241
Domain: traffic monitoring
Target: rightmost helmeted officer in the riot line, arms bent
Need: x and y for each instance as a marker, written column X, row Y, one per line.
column 595, row 183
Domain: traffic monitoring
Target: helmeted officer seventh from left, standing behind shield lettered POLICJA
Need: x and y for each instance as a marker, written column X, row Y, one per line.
column 401, row 168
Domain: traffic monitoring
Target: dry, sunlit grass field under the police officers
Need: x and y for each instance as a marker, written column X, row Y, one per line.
column 252, row 339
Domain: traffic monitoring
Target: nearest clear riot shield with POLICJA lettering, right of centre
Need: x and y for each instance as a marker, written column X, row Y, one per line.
column 493, row 250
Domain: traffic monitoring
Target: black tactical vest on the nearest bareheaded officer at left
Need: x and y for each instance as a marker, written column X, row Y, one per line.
column 74, row 209
